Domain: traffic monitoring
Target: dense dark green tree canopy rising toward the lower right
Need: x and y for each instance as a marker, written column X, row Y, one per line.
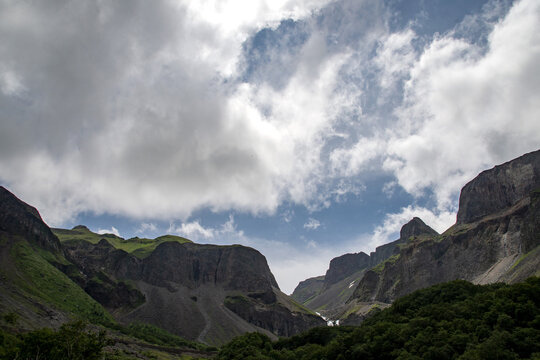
column 455, row 320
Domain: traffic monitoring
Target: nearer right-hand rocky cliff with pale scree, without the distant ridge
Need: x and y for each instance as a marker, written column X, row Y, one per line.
column 496, row 238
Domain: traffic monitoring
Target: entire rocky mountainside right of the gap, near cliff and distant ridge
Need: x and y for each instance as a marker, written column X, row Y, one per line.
column 496, row 238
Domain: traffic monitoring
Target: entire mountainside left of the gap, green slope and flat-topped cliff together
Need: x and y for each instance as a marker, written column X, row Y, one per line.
column 206, row 293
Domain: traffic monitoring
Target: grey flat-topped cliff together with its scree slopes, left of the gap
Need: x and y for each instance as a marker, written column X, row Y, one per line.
column 187, row 289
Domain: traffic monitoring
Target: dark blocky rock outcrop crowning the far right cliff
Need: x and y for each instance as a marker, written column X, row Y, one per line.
column 499, row 188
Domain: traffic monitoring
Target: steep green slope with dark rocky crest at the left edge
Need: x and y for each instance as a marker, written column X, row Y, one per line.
column 31, row 286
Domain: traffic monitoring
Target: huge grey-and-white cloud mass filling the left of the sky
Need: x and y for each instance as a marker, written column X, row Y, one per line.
column 143, row 123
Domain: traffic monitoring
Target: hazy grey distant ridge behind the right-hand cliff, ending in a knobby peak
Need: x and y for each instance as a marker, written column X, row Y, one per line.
column 329, row 294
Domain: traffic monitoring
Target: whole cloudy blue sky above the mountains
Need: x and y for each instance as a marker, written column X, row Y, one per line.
column 306, row 129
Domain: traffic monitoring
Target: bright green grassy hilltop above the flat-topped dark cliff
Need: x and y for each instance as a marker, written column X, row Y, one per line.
column 140, row 247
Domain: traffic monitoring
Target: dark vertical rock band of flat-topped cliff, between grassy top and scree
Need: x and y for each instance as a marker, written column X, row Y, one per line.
column 191, row 265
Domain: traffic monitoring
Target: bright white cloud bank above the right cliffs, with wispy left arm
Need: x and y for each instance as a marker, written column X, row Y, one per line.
column 465, row 107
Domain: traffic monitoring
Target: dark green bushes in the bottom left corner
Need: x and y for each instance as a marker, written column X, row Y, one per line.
column 71, row 341
